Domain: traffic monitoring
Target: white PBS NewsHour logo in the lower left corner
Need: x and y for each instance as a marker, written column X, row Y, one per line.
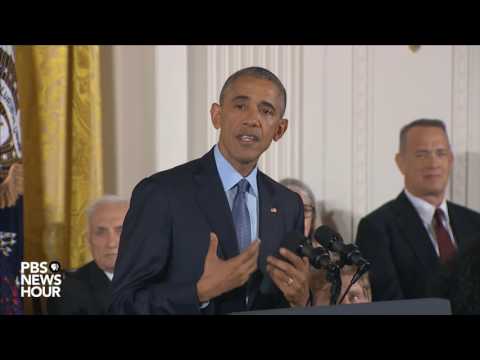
column 40, row 279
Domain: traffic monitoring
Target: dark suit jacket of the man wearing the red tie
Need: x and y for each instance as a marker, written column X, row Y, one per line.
column 404, row 262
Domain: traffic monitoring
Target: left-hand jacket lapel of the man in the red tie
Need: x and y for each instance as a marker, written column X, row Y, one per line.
column 414, row 231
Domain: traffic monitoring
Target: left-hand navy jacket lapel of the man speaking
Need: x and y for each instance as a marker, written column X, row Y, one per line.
column 213, row 202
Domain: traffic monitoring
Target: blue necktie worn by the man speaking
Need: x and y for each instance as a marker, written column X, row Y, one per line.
column 241, row 217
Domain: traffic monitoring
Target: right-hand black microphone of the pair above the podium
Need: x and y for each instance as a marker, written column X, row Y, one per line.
column 349, row 254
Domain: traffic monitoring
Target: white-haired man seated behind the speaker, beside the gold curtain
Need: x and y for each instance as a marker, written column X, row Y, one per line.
column 87, row 291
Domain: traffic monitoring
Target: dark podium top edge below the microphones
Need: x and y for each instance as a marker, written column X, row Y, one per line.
column 427, row 306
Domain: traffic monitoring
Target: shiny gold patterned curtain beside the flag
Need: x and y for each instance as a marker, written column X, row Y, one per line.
column 59, row 92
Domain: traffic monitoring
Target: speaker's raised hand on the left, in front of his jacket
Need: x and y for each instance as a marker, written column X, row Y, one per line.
column 220, row 276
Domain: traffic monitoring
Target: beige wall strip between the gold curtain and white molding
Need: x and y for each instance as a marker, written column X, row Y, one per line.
column 129, row 111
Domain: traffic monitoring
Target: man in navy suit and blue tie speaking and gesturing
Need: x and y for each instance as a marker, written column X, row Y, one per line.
column 198, row 238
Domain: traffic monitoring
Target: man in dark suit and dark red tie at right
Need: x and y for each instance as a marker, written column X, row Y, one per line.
column 410, row 240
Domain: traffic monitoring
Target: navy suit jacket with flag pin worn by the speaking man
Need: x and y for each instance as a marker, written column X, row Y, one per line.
column 165, row 239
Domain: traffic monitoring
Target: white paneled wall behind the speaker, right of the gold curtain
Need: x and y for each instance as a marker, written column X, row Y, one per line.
column 346, row 105
